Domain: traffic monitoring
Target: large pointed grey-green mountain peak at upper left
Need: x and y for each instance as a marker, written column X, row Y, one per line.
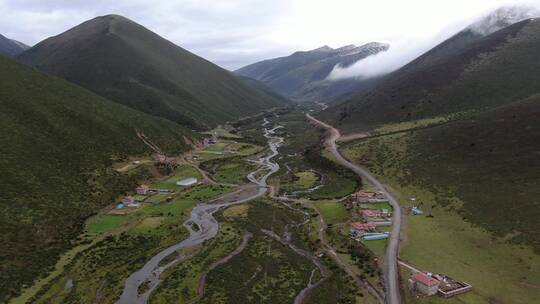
column 125, row 62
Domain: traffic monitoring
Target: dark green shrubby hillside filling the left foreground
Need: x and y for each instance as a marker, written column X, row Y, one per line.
column 58, row 142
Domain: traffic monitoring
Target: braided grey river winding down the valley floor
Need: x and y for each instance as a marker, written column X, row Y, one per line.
column 202, row 216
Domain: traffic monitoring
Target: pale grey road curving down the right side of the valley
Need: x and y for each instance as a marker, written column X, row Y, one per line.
column 391, row 256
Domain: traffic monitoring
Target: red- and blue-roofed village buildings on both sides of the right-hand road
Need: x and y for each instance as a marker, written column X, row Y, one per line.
column 375, row 218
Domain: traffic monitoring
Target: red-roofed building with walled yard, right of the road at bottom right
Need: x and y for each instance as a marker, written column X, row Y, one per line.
column 427, row 284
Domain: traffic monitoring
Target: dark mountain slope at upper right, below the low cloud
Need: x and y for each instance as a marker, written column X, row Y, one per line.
column 468, row 72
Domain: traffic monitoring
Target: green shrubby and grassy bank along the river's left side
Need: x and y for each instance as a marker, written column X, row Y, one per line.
column 99, row 271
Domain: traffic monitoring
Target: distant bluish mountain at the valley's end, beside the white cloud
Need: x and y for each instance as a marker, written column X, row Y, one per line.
column 302, row 76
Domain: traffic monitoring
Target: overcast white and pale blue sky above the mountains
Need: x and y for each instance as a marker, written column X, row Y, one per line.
column 233, row 33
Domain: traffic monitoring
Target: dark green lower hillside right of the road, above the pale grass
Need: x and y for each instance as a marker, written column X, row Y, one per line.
column 489, row 162
